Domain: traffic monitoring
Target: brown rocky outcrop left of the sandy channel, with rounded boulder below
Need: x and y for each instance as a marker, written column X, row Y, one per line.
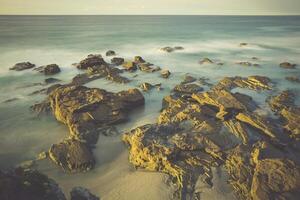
column 87, row 112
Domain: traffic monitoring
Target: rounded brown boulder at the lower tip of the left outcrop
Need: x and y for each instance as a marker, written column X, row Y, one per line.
column 72, row 155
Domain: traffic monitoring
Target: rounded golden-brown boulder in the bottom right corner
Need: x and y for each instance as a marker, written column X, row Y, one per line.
column 276, row 179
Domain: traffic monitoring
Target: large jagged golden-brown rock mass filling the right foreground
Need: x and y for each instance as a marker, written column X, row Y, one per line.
column 198, row 130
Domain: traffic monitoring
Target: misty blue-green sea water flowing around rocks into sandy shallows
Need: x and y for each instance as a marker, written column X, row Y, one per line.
column 65, row 40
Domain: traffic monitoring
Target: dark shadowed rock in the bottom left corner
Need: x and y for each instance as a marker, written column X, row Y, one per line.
column 27, row 184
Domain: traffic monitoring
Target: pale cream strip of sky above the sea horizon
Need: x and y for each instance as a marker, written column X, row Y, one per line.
column 150, row 7
